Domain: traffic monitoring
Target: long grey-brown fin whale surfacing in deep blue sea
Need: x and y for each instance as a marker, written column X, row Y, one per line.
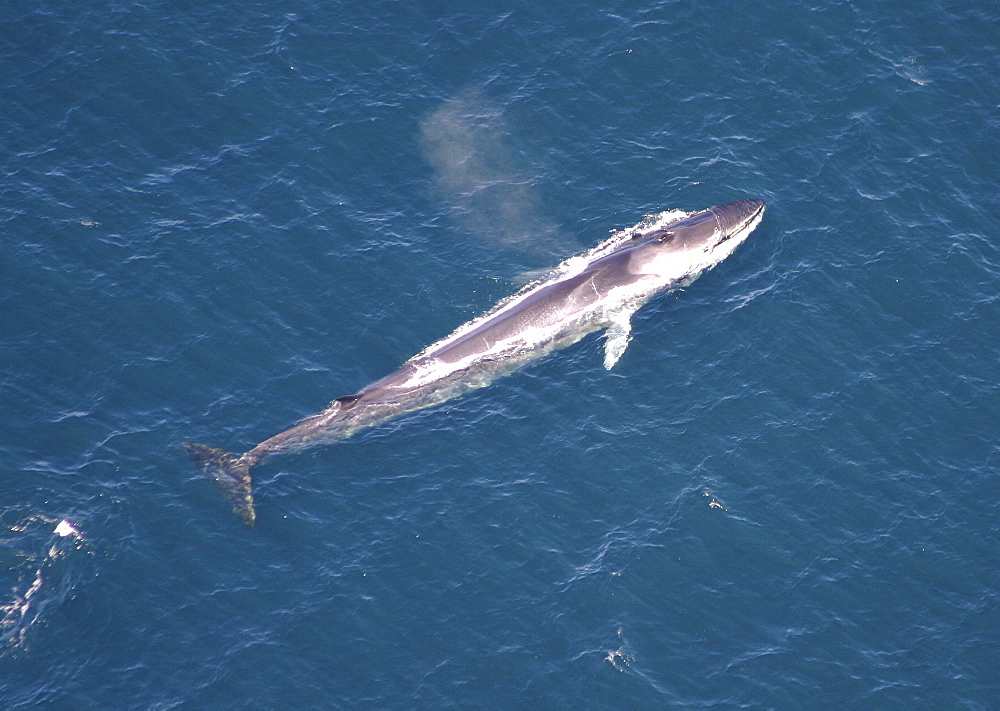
column 600, row 289
